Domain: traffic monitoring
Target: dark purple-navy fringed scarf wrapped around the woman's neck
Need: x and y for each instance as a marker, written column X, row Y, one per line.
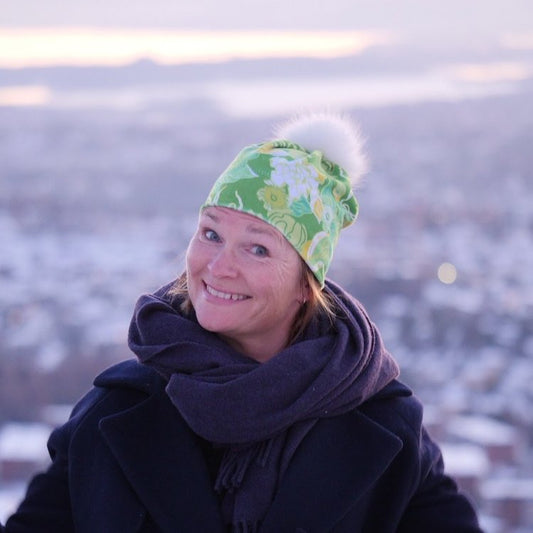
column 260, row 412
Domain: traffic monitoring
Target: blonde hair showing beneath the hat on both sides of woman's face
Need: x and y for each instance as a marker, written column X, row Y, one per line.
column 318, row 301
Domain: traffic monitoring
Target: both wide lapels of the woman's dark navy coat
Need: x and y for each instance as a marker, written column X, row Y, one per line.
column 163, row 462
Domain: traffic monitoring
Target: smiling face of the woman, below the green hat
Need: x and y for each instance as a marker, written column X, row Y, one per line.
column 244, row 281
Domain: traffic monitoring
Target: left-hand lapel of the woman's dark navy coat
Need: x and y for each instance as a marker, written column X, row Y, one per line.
column 164, row 464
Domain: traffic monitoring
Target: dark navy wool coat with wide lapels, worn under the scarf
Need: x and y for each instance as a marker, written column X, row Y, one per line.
column 127, row 462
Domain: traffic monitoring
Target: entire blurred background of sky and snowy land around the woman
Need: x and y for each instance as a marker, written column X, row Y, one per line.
column 116, row 116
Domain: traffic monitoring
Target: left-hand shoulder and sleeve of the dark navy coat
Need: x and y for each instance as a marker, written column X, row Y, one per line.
column 82, row 489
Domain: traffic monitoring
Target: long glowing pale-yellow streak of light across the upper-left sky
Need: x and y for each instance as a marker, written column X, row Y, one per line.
column 27, row 47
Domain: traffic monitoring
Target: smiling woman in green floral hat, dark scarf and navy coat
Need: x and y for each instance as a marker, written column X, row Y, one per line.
column 263, row 398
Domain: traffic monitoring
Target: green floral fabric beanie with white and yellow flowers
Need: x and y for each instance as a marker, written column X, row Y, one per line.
column 300, row 192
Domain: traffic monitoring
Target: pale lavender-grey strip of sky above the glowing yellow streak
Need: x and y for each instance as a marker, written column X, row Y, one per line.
column 457, row 18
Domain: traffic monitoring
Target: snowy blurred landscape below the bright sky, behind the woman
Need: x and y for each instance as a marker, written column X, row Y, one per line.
column 99, row 191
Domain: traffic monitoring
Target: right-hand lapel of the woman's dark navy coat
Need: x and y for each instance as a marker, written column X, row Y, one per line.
column 350, row 450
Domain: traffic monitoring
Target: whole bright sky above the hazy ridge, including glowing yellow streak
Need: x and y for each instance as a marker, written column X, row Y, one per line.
column 111, row 32
